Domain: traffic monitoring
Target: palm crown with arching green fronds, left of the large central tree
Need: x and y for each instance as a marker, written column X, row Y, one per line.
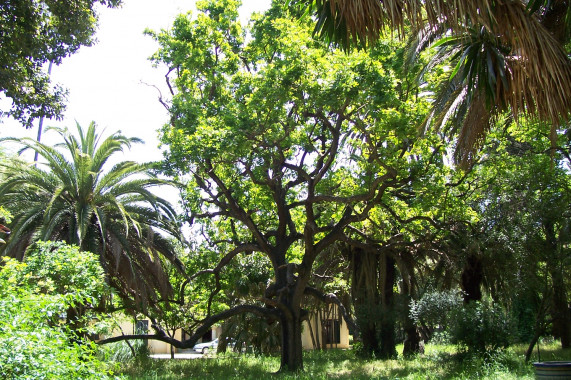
column 70, row 196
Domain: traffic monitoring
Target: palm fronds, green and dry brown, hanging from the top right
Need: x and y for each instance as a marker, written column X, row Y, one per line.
column 509, row 55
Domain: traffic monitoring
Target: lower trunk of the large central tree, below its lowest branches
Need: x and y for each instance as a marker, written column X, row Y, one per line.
column 292, row 356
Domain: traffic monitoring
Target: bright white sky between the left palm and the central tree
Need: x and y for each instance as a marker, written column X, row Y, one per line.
column 113, row 82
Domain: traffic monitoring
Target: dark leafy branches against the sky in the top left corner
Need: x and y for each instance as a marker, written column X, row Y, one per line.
column 33, row 33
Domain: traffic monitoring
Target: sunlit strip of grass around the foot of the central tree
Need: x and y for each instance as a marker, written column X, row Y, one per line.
column 438, row 362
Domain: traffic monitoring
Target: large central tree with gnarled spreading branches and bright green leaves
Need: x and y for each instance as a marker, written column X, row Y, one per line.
column 284, row 143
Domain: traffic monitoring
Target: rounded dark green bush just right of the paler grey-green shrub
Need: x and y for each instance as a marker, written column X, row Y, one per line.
column 480, row 327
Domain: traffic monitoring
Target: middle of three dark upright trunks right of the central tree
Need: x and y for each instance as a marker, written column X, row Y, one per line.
column 388, row 321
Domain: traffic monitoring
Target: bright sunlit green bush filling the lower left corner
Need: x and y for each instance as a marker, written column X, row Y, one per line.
column 35, row 342
